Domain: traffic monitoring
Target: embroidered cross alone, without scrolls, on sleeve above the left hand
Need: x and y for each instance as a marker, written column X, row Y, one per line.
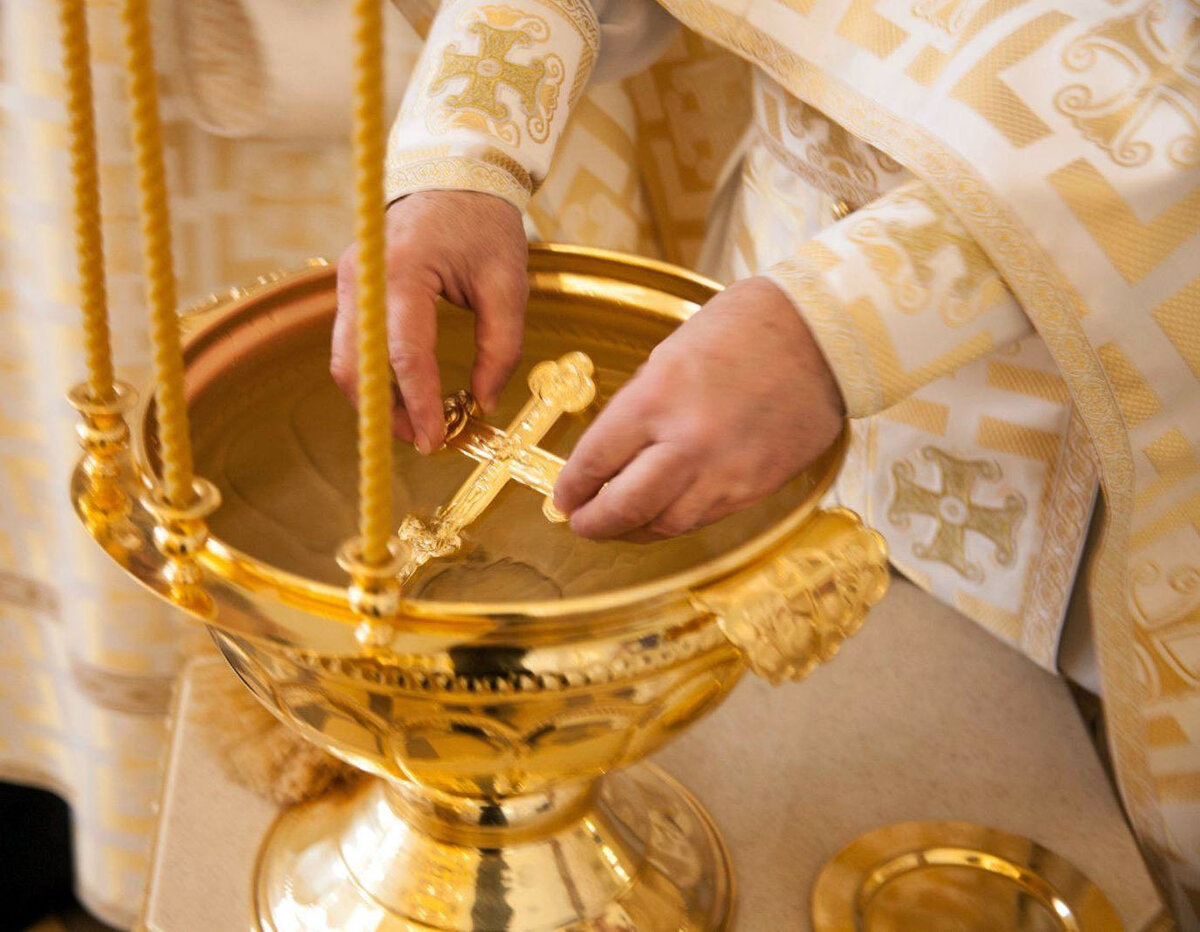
column 490, row 69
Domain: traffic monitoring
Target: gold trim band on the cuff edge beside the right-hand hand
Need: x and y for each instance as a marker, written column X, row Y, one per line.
column 842, row 341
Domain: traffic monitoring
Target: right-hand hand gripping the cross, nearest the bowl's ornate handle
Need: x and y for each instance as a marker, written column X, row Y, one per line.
column 725, row 412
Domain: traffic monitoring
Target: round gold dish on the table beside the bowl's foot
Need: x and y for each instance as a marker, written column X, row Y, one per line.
column 956, row 877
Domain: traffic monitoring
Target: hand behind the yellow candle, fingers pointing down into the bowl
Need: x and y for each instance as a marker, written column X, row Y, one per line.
column 470, row 249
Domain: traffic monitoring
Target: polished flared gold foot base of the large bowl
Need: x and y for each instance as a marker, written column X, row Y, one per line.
column 637, row 855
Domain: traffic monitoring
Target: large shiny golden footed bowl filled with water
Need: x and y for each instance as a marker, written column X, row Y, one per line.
column 507, row 707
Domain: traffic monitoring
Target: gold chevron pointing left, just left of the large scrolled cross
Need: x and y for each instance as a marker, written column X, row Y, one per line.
column 986, row 93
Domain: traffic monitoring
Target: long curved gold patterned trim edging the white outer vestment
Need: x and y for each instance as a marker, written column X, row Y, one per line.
column 1057, row 311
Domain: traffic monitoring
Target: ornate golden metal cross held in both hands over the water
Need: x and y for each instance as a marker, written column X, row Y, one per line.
column 559, row 387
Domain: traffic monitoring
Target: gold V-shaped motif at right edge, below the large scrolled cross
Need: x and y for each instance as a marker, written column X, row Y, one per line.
column 1133, row 246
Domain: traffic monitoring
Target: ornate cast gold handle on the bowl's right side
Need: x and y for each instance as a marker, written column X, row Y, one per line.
column 793, row 614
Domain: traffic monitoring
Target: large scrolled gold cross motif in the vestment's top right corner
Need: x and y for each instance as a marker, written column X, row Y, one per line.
column 1160, row 77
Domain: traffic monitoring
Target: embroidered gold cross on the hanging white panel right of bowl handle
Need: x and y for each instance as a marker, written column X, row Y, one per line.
column 956, row 512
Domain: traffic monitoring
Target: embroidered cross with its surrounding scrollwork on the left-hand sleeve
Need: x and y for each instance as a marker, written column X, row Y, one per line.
column 487, row 73
